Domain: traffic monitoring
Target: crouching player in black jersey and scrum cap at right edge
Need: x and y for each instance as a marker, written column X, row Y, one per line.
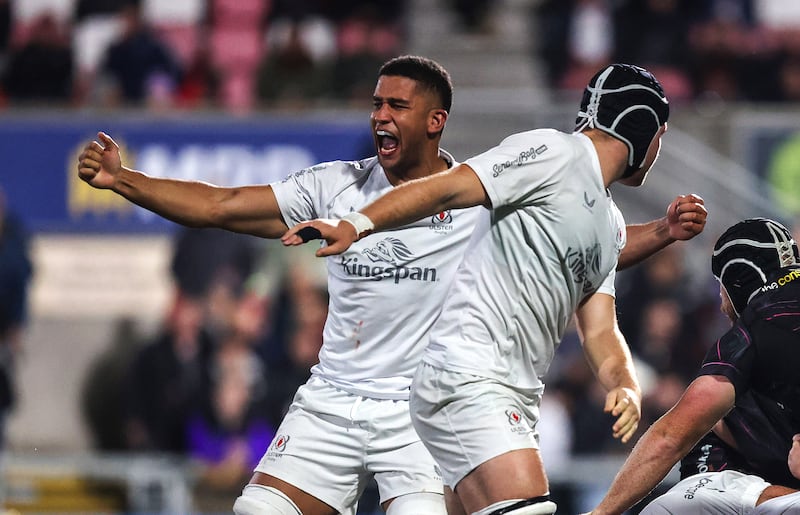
column 740, row 414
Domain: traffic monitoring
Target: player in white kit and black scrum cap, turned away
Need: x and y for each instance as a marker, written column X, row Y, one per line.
column 545, row 248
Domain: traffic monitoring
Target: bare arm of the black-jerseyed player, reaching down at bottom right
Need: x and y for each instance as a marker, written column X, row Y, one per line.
column 705, row 401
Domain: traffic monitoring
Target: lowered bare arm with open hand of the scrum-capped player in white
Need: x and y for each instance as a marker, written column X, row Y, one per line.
column 610, row 359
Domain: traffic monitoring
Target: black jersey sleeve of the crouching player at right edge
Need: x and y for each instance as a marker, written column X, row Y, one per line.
column 732, row 357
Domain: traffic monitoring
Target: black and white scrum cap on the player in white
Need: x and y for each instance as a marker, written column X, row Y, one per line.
column 627, row 102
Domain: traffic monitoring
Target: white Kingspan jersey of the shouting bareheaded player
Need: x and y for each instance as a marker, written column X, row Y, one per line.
column 387, row 289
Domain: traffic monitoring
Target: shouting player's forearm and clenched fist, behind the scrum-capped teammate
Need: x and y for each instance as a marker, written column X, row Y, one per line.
column 685, row 219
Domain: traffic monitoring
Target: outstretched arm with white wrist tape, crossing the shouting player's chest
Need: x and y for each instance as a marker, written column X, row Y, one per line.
column 458, row 187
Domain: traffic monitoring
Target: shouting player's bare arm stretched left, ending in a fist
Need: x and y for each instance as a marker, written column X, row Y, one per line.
column 249, row 209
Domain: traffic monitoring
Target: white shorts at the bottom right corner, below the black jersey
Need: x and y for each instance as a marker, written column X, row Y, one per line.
column 711, row 493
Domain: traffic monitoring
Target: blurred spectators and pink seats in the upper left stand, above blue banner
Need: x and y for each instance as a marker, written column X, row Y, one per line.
column 230, row 54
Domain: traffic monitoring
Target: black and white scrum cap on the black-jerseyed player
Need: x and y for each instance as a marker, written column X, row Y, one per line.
column 748, row 254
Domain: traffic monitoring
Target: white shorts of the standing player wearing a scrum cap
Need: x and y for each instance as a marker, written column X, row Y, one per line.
column 466, row 420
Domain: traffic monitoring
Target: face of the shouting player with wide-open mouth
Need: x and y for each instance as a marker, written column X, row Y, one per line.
column 400, row 117
